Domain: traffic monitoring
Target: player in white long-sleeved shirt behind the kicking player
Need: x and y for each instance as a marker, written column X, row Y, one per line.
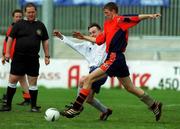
column 95, row 55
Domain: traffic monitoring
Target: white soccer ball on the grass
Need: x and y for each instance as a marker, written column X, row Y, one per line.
column 52, row 114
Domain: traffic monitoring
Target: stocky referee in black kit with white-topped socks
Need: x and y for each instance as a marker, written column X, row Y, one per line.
column 29, row 33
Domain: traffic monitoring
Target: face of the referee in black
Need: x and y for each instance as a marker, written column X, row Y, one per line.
column 30, row 13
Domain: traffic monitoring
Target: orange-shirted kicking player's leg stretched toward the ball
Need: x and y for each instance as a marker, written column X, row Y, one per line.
column 84, row 92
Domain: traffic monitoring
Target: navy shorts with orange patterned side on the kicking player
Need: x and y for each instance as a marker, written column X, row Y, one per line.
column 115, row 65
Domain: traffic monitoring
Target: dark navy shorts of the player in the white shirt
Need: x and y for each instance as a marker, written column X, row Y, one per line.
column 97, row 84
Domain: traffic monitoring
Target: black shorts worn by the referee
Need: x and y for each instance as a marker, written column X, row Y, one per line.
column 23, row 64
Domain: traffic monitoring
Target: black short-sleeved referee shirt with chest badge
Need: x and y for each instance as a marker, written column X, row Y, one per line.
column 28, row 36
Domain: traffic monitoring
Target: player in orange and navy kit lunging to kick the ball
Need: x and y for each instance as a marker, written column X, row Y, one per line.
column 115, row 36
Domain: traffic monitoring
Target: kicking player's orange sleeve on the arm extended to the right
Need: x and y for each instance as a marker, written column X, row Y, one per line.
column 126, row 22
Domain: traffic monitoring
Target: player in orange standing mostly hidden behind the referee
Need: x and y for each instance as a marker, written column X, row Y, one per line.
column 17, row 15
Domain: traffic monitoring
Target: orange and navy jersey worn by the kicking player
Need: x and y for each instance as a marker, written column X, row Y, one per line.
column 116, row 32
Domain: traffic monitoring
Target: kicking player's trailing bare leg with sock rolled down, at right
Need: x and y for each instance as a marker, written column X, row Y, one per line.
column 153, row 105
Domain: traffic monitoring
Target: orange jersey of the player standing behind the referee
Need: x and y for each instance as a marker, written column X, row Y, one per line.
column 5, row 42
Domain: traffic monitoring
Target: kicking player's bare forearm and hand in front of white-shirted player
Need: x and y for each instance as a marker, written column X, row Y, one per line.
column 78, row 35
